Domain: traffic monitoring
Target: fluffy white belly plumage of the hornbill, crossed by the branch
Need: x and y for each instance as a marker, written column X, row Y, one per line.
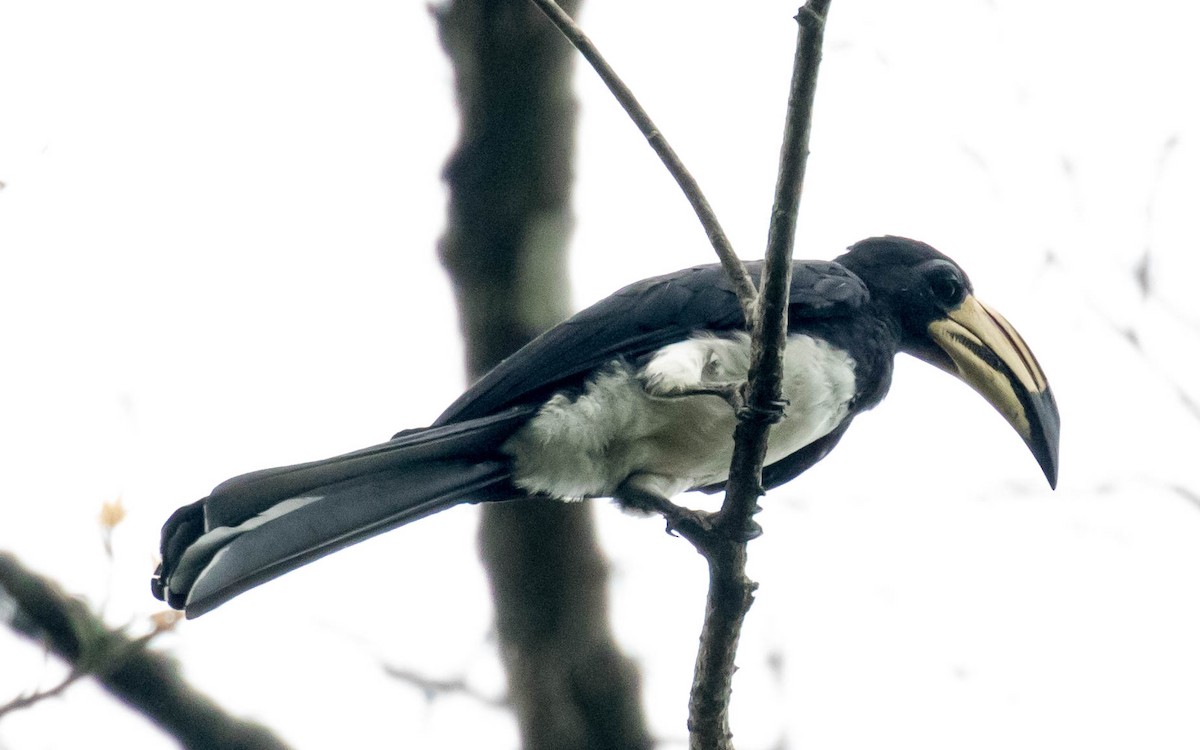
column 620, row 429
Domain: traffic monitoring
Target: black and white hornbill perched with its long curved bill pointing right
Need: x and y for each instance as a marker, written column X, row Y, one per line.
column 605, row 405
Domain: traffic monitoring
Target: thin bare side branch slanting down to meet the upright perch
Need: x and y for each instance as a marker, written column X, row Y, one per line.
column 737, row 273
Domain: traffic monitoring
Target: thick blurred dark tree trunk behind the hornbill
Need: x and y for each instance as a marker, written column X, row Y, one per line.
column 506, row 250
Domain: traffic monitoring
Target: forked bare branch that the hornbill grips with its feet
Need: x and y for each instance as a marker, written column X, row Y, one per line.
column 722, row 538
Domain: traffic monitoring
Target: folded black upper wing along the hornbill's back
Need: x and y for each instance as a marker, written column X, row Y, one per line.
column 641, row 319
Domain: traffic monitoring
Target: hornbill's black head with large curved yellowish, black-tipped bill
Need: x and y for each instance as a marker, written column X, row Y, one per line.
column 944, row 325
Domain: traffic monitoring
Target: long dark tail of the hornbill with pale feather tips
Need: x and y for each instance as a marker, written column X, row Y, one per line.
column 260, row 526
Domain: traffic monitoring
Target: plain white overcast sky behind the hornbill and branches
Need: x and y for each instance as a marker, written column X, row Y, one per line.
column 217, row 255
